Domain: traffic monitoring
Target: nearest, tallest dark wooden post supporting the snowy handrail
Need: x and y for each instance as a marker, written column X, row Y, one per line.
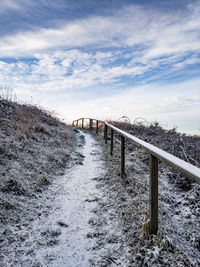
column 153, row 195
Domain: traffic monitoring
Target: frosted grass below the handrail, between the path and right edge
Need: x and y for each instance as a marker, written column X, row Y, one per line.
column 177, row 241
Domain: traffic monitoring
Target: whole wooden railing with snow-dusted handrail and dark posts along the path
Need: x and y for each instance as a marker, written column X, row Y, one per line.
column 156, row 154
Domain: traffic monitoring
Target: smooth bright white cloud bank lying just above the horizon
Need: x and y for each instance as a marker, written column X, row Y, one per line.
column 172, row 104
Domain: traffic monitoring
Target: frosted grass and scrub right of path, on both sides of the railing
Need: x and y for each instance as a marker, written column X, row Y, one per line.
column 178, row 240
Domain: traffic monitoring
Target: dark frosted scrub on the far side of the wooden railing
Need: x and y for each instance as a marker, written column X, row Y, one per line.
column 179, row 145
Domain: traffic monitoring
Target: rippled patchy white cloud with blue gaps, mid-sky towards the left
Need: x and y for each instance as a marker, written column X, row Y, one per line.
column 71, row 69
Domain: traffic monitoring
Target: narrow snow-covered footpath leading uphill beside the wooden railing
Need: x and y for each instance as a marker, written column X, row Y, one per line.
column 67, row 224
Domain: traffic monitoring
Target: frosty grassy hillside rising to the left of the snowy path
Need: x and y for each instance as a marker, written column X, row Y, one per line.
column 35, row 149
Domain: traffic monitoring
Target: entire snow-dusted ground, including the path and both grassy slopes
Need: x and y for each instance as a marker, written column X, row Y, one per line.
column 63, row 202
